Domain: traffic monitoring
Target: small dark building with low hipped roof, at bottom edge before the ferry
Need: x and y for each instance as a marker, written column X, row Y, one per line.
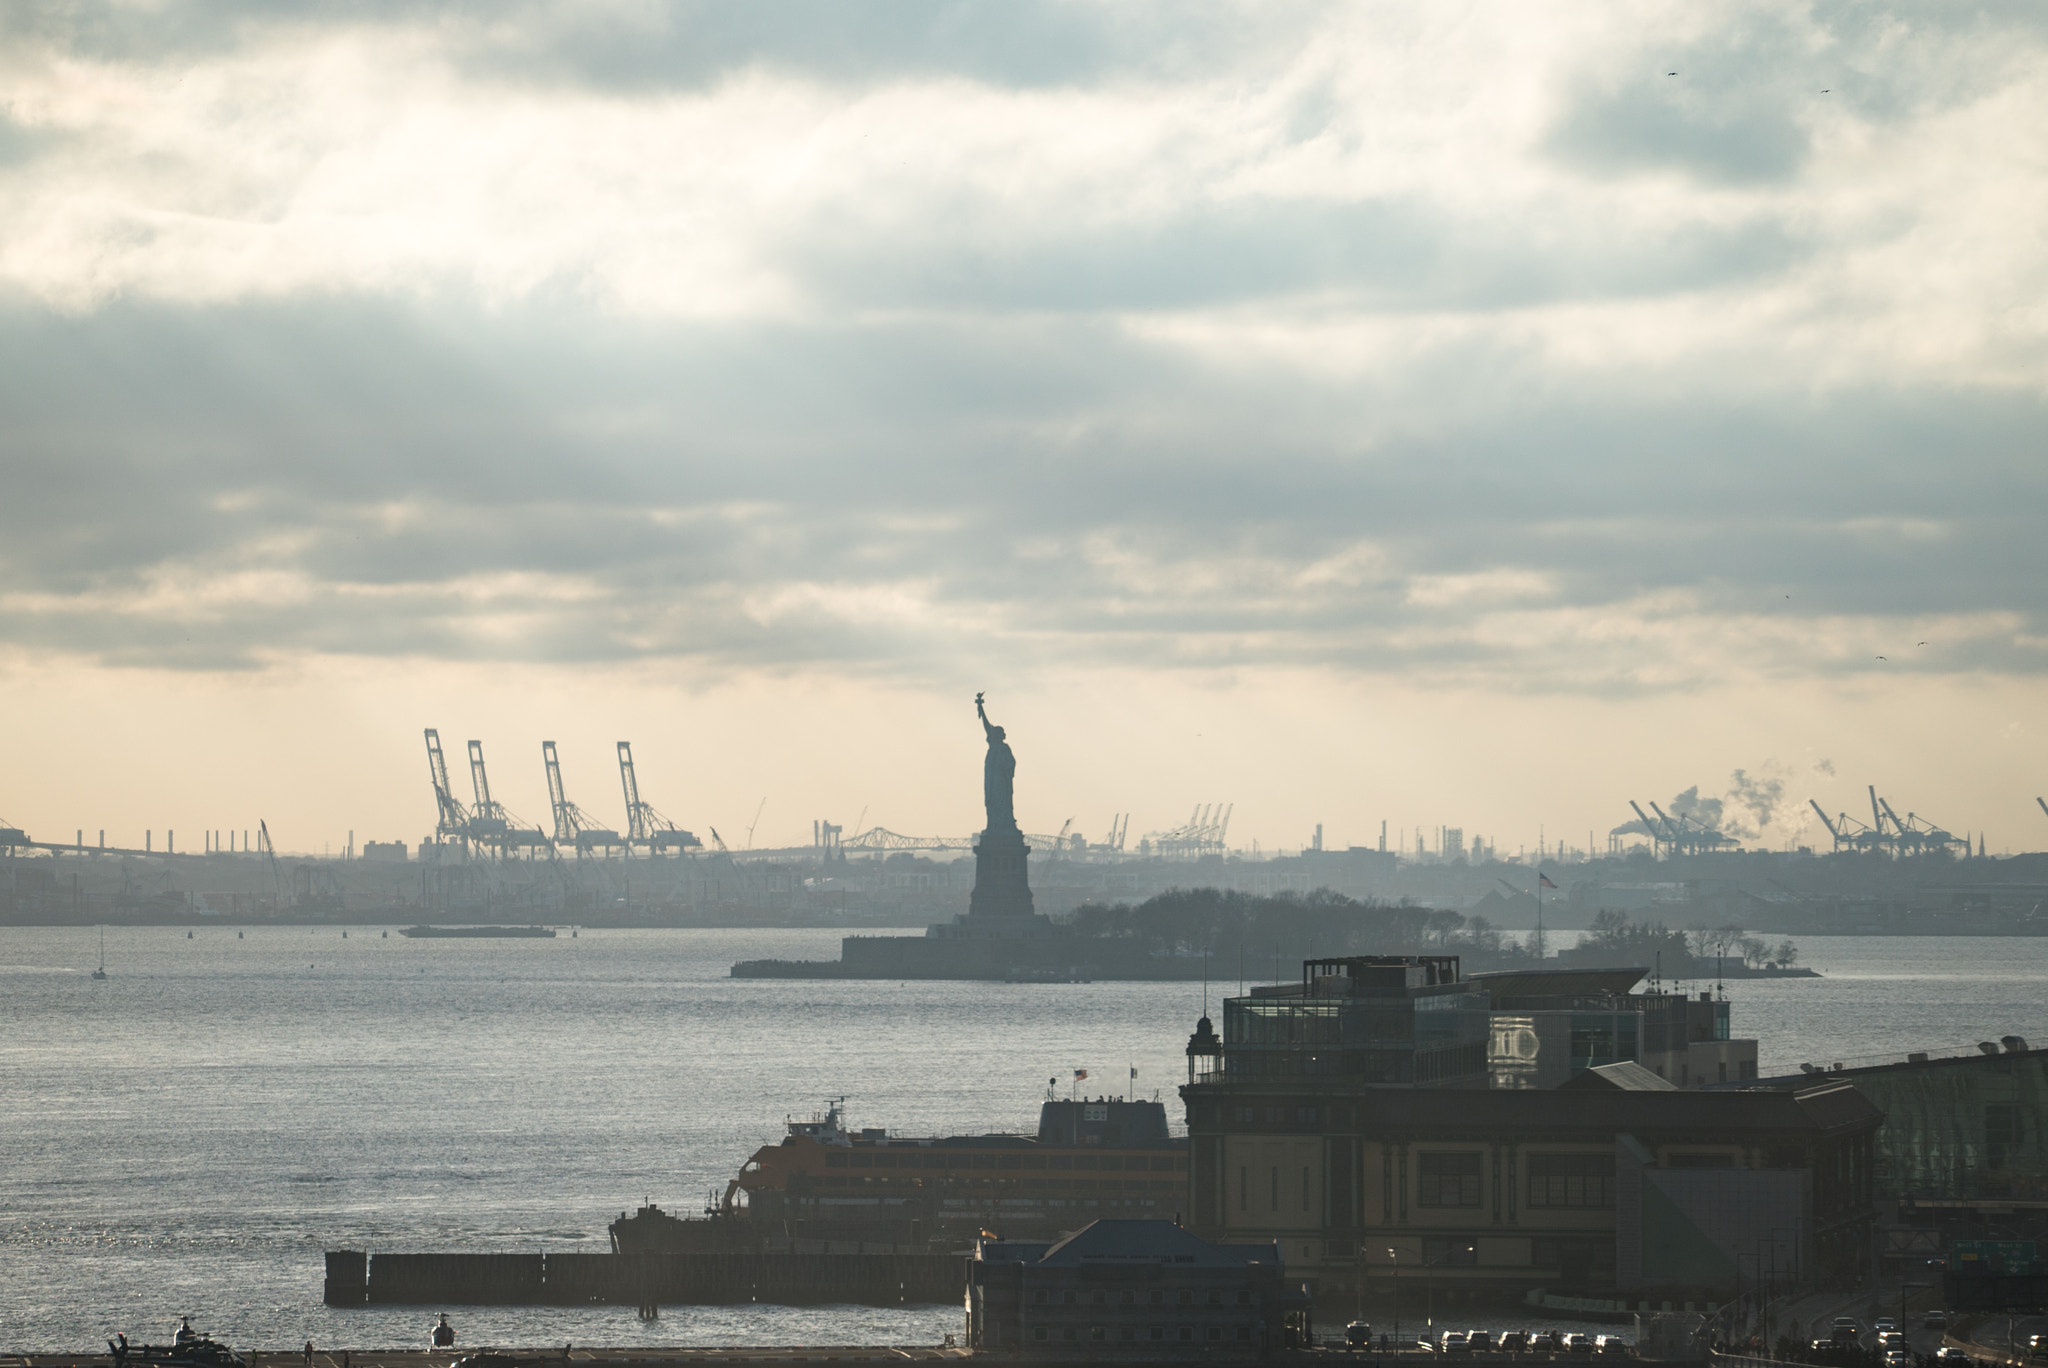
column 1132, row 1289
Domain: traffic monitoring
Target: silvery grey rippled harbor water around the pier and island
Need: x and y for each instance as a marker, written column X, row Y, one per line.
column 191, row 1134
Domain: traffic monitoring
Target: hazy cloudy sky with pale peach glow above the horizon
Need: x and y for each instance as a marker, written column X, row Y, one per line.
column 1426, row 413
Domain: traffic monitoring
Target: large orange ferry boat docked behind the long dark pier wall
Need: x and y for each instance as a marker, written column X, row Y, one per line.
column 826, row 1183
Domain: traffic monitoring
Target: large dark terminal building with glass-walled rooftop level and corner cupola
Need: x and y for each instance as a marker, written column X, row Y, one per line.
column 1349, row 1121
